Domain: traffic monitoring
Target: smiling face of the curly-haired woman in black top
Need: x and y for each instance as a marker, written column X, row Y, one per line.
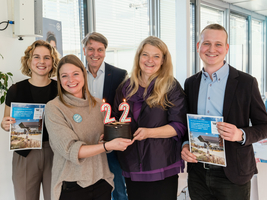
column 41, row 63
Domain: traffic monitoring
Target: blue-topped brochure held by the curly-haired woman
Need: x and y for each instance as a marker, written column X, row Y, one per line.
column 27, row 132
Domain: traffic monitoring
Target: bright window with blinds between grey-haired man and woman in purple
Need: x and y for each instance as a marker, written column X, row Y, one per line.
column 125, row 24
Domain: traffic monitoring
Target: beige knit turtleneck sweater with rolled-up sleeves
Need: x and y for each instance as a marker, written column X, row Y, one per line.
column 66, row 137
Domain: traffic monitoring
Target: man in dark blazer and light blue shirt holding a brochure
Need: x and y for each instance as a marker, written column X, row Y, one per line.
column 221, row 90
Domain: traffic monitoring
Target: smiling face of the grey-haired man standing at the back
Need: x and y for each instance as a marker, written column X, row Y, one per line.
column 95, row 53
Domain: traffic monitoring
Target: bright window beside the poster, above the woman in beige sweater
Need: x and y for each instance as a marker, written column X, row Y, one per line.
column 68, row 13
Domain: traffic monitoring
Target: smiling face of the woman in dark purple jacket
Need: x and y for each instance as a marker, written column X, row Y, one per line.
column 150, row 60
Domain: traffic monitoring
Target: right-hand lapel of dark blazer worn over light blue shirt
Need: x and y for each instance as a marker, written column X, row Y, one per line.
column 229, row 91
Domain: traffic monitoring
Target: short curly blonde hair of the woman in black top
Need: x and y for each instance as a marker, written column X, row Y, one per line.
column 27, row 58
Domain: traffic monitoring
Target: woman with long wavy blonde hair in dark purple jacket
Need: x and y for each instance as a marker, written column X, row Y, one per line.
column 158, row 112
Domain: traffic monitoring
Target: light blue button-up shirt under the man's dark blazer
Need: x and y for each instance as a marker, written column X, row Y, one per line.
column 211, row 92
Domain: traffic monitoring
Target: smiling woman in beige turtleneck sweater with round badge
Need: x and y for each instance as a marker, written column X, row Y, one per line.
column 75, row 125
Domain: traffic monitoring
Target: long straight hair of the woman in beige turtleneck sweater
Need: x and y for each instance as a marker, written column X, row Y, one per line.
column 72, row 59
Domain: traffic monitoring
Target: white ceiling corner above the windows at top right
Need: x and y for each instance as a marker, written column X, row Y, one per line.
column 258, row 6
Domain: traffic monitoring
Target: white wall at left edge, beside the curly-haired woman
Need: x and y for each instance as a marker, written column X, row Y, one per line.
column 12, row 49
